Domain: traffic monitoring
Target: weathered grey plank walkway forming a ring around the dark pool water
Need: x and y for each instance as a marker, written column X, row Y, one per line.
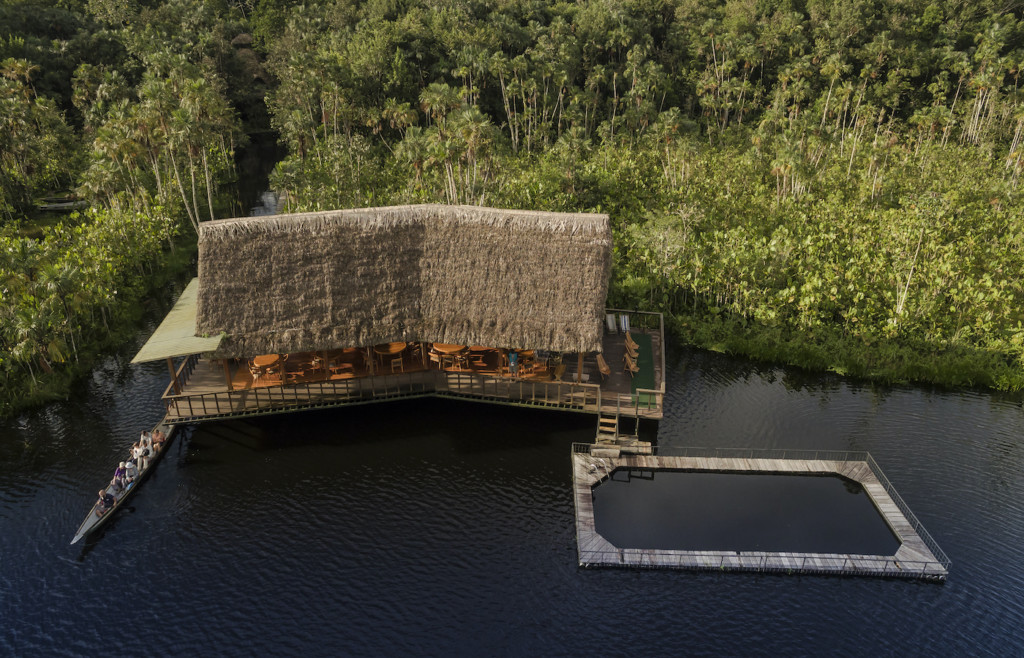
column 913, row 560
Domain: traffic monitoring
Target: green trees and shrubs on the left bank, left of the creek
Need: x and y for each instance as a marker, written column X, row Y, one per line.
column 150, row 94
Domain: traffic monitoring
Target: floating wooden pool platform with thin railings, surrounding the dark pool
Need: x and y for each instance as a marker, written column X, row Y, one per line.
column 918, row 556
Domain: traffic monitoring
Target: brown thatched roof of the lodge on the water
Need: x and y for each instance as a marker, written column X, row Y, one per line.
column 439, row 274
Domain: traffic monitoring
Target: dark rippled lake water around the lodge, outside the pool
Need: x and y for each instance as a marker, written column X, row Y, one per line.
column 442, row 529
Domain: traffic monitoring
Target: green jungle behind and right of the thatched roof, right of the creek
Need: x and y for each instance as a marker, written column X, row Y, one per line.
column 834, row 186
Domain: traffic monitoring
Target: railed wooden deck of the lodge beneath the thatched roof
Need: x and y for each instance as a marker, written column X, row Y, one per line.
column 205, row 393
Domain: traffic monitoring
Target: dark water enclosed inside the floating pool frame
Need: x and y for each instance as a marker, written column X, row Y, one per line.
column 712, row 511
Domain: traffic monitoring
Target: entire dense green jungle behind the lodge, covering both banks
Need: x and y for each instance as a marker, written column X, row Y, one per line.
column 830, row 184
